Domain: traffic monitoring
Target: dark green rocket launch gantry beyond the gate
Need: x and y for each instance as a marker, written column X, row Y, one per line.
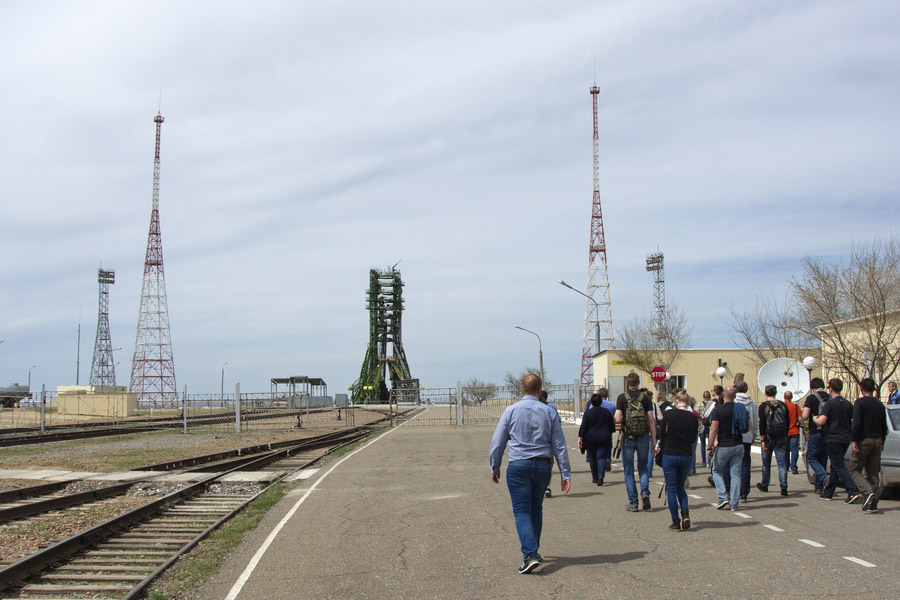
column 385, row 358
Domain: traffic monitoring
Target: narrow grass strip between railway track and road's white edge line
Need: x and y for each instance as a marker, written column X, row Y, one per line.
column 191, row 570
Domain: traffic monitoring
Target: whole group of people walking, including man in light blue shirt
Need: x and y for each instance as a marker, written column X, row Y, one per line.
column 668, row 433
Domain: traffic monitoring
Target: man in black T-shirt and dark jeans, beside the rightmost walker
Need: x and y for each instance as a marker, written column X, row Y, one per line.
column 837, row 416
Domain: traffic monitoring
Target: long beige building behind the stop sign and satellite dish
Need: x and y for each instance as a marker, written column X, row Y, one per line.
column 693, row 370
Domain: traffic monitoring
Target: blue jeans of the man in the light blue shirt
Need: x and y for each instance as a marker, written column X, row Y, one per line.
column 527, row 481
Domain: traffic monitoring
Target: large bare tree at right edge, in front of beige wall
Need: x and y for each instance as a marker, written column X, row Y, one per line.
column 853, row 309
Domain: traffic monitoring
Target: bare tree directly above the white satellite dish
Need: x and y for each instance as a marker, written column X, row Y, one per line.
column 770, row 330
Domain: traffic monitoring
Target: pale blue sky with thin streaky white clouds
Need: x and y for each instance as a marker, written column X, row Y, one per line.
column 306, row 143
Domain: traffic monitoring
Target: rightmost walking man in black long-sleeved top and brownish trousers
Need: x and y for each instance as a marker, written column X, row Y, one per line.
column 868, row 434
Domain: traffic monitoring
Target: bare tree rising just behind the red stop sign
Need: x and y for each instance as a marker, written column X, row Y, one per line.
column 646, row 342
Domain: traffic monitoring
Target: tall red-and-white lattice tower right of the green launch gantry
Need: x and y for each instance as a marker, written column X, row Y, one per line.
column 599, row 333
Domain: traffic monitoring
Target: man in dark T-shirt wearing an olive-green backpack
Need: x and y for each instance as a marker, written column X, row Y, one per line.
column 634, row 412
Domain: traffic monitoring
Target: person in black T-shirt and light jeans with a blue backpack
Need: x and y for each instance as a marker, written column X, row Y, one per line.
column 726, row 448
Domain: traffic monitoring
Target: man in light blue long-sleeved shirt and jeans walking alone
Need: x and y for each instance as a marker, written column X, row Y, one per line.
column 534, row 434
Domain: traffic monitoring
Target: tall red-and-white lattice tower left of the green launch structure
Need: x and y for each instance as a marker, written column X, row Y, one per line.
column 153, row 368
